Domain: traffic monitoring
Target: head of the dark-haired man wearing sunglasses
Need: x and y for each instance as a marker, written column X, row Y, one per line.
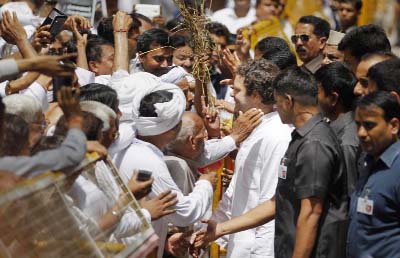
column 311, row 34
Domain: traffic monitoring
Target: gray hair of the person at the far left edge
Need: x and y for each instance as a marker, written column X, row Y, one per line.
column 23, row 106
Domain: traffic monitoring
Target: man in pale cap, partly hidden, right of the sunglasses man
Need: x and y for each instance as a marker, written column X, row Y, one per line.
column 331, row 53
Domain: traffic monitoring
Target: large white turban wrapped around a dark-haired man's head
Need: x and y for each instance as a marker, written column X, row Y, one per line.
column 131, row 90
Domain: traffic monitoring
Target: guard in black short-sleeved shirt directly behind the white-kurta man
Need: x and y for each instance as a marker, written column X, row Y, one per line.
column 311, row 196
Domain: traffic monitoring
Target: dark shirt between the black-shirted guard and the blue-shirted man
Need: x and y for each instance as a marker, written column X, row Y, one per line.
column 346, row 130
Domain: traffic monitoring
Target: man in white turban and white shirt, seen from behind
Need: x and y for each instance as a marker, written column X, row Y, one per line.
column 155, row 109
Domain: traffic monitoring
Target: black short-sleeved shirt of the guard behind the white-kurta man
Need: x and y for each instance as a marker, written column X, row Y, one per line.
column 314, row 169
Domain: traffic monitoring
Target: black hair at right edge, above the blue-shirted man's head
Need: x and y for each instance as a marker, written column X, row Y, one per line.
column 386, row 75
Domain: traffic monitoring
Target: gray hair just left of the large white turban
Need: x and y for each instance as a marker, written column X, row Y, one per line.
column 100, row 110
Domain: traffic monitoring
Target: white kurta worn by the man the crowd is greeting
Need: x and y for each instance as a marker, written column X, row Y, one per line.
column 254, row 181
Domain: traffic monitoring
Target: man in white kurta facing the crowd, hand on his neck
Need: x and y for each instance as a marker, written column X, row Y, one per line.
column 257, row 162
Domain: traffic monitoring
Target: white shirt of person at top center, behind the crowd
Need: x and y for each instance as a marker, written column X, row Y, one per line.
column 228, row 17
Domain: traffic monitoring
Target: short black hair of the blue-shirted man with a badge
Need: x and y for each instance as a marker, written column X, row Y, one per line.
column 383, row 100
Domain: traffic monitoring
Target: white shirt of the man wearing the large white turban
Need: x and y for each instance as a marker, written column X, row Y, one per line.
column 189, row 209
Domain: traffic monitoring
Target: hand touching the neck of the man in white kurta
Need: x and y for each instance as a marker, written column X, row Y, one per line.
column 245, row 124
